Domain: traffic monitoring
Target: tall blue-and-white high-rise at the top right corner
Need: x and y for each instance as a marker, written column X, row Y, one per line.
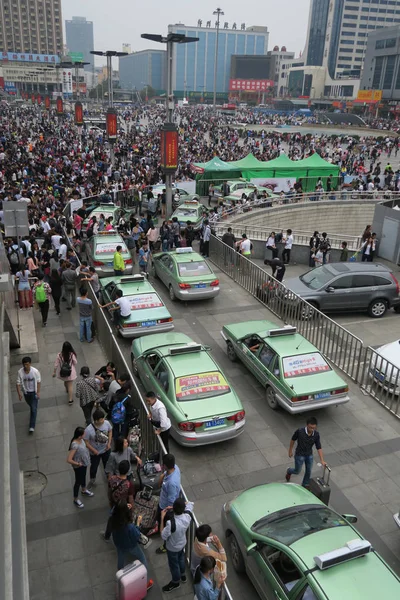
column 338, row 32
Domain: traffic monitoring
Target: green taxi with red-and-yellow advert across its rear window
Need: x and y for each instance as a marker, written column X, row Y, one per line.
column 200, row 402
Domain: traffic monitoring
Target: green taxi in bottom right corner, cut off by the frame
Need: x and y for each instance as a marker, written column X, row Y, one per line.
column 293, row 547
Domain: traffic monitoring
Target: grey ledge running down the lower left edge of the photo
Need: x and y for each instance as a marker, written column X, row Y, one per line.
column 14, row 583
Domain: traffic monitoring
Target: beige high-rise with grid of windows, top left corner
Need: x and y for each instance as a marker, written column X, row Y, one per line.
column 31, row 26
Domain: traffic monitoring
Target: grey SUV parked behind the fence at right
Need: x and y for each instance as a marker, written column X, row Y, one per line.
column 338, row 287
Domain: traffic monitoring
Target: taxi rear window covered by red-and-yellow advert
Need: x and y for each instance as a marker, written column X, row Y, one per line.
column 200, row 386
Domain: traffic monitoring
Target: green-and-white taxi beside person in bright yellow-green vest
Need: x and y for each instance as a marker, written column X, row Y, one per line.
column 100, row 250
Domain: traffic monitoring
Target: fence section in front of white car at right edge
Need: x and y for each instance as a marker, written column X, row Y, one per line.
column 381, row 379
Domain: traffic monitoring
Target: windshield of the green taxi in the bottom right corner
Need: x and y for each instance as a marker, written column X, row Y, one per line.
column 289, row 525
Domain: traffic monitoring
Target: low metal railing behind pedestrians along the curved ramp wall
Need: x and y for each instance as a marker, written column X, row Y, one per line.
column 256, row 232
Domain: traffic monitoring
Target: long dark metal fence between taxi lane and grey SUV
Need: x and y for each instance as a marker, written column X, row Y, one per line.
column 340, row 346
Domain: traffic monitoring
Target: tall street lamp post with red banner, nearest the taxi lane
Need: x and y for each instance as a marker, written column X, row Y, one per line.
column 169, row 128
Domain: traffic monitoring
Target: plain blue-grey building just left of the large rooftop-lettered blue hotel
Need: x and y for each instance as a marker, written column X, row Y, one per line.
column 139, row 69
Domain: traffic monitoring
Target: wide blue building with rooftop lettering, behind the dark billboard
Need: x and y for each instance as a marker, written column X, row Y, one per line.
column 193, row 64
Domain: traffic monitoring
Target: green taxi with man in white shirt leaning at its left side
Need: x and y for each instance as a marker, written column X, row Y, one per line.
column 148, row 313
